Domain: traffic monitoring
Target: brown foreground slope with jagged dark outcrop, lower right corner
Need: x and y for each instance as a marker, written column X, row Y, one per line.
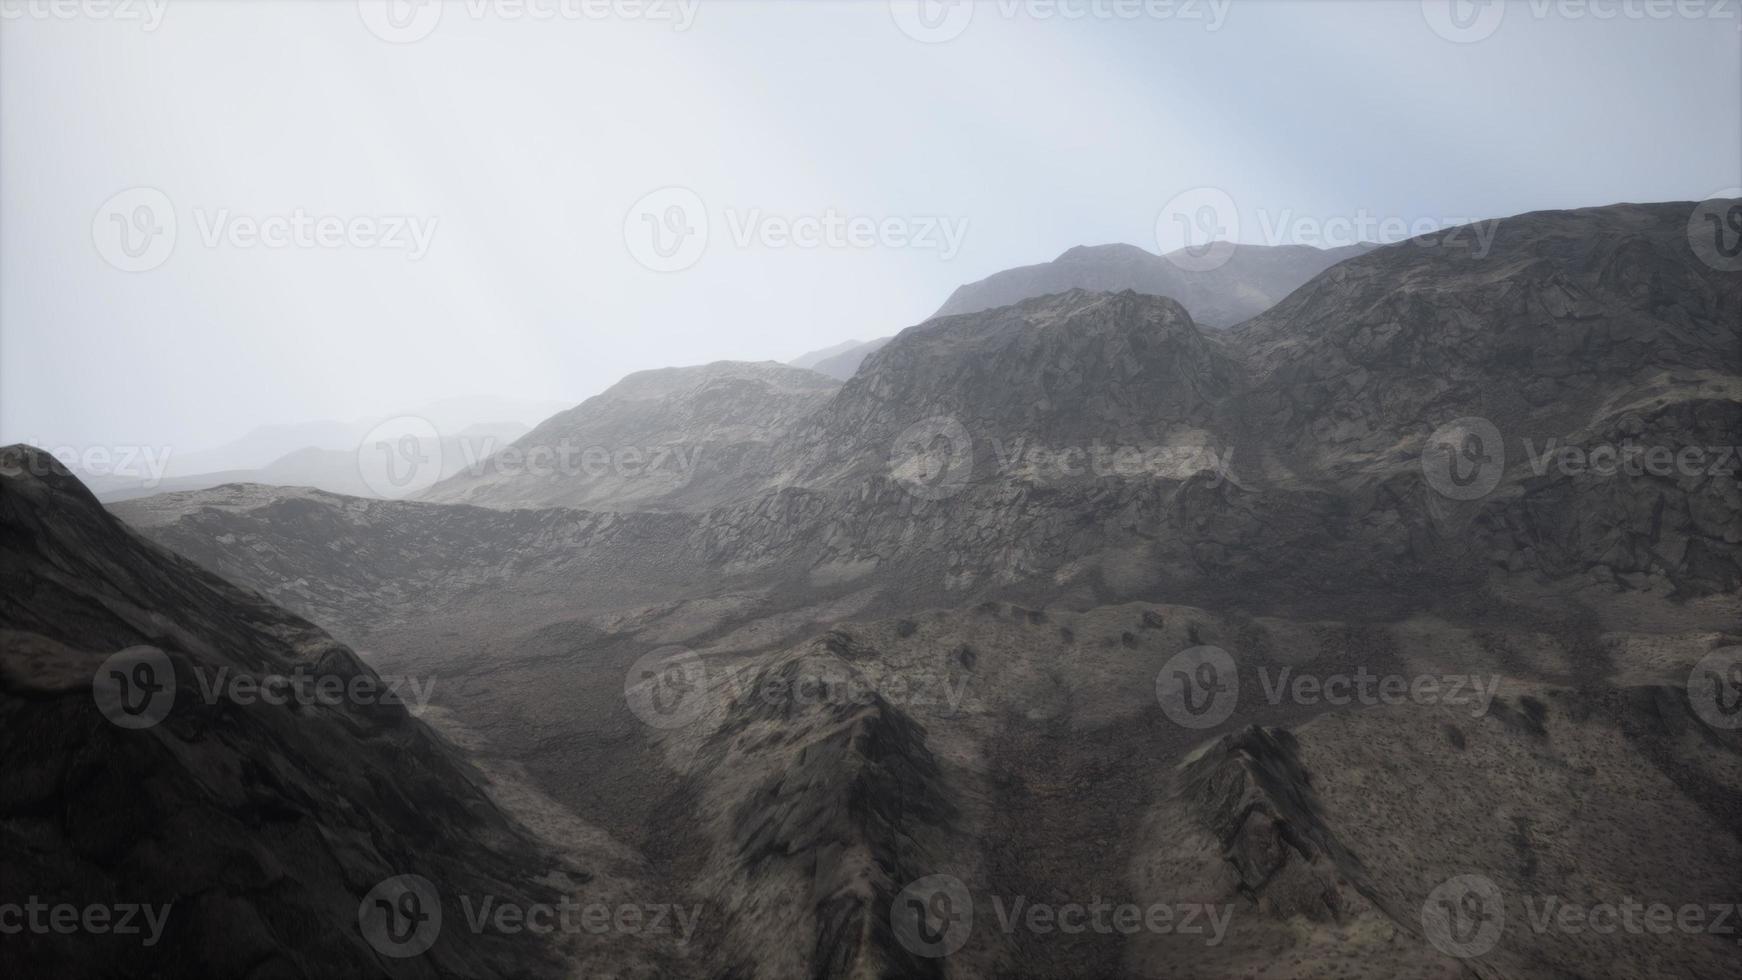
column 1346, row 840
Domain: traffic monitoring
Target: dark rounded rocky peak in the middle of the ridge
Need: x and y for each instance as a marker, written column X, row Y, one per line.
column 1044, row 375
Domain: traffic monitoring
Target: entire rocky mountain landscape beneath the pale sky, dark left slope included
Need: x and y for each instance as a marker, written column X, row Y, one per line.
column 1410, row 584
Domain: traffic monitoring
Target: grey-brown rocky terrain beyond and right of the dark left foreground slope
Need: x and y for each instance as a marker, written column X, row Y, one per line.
column 1044, row 610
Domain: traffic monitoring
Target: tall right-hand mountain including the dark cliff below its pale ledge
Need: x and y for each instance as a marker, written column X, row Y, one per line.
column 1579, row 335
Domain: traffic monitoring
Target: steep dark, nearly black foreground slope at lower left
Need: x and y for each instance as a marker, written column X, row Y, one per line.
column 180, row 744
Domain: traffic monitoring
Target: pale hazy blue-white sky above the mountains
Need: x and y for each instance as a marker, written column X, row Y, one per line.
column 463, row 206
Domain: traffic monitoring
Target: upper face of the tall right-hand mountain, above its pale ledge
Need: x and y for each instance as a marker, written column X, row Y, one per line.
column 1567, row 312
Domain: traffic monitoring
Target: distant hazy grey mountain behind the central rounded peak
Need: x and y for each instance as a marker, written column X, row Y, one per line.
column 1252, row 281
